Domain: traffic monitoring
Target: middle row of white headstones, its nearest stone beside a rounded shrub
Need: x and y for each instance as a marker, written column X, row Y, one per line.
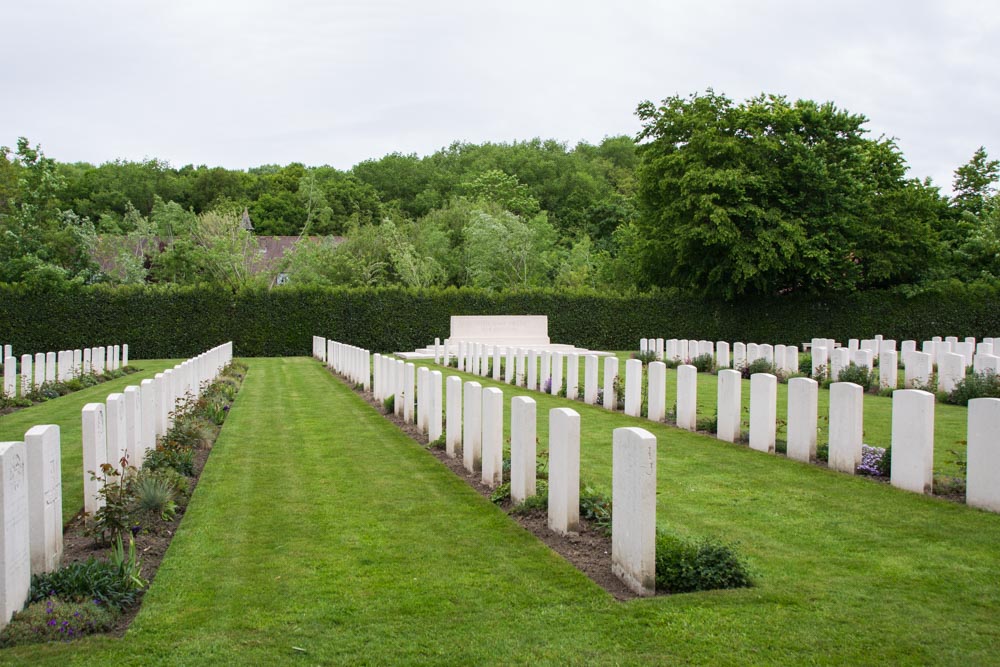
column 475, row 423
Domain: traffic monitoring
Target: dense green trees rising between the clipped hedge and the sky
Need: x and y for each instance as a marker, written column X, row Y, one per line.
column 720, row 198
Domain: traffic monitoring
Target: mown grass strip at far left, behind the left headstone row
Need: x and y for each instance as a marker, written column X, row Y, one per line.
column 66, row 411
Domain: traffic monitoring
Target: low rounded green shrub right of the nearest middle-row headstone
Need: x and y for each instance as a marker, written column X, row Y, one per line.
column 683, row 566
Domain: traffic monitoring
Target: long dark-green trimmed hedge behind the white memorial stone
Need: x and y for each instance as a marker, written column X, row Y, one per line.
column 171, row 322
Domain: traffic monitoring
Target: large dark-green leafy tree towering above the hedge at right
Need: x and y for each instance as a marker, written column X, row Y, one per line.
column 768, row 196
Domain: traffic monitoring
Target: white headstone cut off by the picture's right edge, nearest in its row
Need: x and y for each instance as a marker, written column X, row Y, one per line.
column 983, row 454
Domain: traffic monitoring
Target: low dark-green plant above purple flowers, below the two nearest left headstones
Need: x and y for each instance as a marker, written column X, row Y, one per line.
column 81, row 581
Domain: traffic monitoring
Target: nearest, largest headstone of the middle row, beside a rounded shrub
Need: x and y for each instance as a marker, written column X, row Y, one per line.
column 633, row 523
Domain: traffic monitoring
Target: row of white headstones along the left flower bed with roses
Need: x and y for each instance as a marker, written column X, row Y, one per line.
column 31, row 525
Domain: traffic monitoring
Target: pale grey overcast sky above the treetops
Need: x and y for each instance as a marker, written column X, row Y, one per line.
column 250, row 82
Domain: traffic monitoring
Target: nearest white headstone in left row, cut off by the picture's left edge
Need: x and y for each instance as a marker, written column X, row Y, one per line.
column 15, row 549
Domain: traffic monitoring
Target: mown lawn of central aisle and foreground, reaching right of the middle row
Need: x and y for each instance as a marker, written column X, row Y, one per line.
column 320, row 534
